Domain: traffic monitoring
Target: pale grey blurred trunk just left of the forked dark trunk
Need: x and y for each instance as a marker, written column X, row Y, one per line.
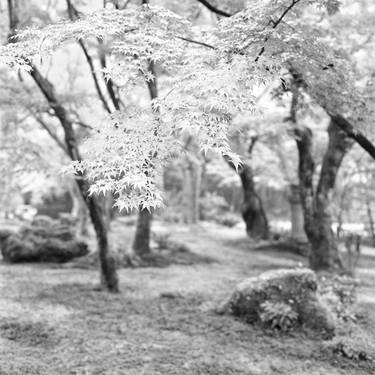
column 297, row 223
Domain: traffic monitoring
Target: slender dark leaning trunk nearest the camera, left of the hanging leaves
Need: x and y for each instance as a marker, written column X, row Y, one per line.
column 107, row 263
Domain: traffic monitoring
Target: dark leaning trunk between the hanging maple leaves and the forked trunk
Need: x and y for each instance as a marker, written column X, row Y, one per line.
column 252, row 209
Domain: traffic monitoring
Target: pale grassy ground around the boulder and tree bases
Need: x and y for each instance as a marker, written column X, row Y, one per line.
column 52, row 321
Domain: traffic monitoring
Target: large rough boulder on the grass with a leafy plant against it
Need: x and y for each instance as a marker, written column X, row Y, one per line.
column 291, row 293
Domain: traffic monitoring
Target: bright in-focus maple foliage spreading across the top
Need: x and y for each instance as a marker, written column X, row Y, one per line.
column 209, row 75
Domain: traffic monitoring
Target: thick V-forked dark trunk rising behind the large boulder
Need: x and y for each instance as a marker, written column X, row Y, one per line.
column 318, row 222
